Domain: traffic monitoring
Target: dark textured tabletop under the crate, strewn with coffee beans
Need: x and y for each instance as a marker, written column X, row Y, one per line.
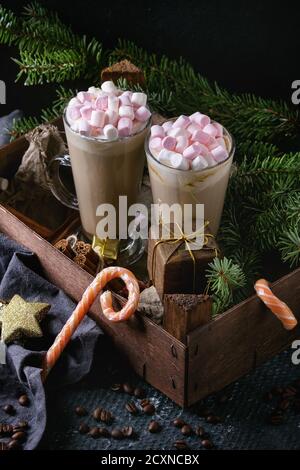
column 244, row 414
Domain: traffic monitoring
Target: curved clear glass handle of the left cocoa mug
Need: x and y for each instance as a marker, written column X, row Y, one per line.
column 57, row 187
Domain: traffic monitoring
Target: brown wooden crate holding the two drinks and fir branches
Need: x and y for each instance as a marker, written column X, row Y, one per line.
column 213, row 356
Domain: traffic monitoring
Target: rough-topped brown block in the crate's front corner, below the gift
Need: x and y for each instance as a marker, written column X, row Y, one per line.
column 185, row 312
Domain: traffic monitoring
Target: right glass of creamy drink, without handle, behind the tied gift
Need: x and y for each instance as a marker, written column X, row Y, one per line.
column 207, row 186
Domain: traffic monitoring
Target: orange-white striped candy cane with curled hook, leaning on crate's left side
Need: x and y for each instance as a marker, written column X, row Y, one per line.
column 85, row 304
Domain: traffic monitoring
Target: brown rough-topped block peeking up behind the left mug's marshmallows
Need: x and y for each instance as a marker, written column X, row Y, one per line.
column 123, row 69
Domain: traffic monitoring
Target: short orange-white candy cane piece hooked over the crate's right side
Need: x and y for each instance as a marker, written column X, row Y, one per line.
column 277, row 306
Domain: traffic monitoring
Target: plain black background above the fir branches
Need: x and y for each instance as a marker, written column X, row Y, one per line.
column 244, row 46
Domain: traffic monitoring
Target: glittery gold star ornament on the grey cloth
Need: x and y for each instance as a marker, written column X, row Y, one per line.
column 21, row 319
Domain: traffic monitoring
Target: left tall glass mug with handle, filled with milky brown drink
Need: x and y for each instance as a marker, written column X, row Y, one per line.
column 102, row 170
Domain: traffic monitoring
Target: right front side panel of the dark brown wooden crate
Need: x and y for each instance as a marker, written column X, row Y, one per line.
column 240, row 339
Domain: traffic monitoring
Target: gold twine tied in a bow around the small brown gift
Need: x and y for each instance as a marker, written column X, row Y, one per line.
column 187, row 240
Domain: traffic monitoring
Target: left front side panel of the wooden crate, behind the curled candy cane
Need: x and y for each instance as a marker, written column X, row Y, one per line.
column 151, row 351
